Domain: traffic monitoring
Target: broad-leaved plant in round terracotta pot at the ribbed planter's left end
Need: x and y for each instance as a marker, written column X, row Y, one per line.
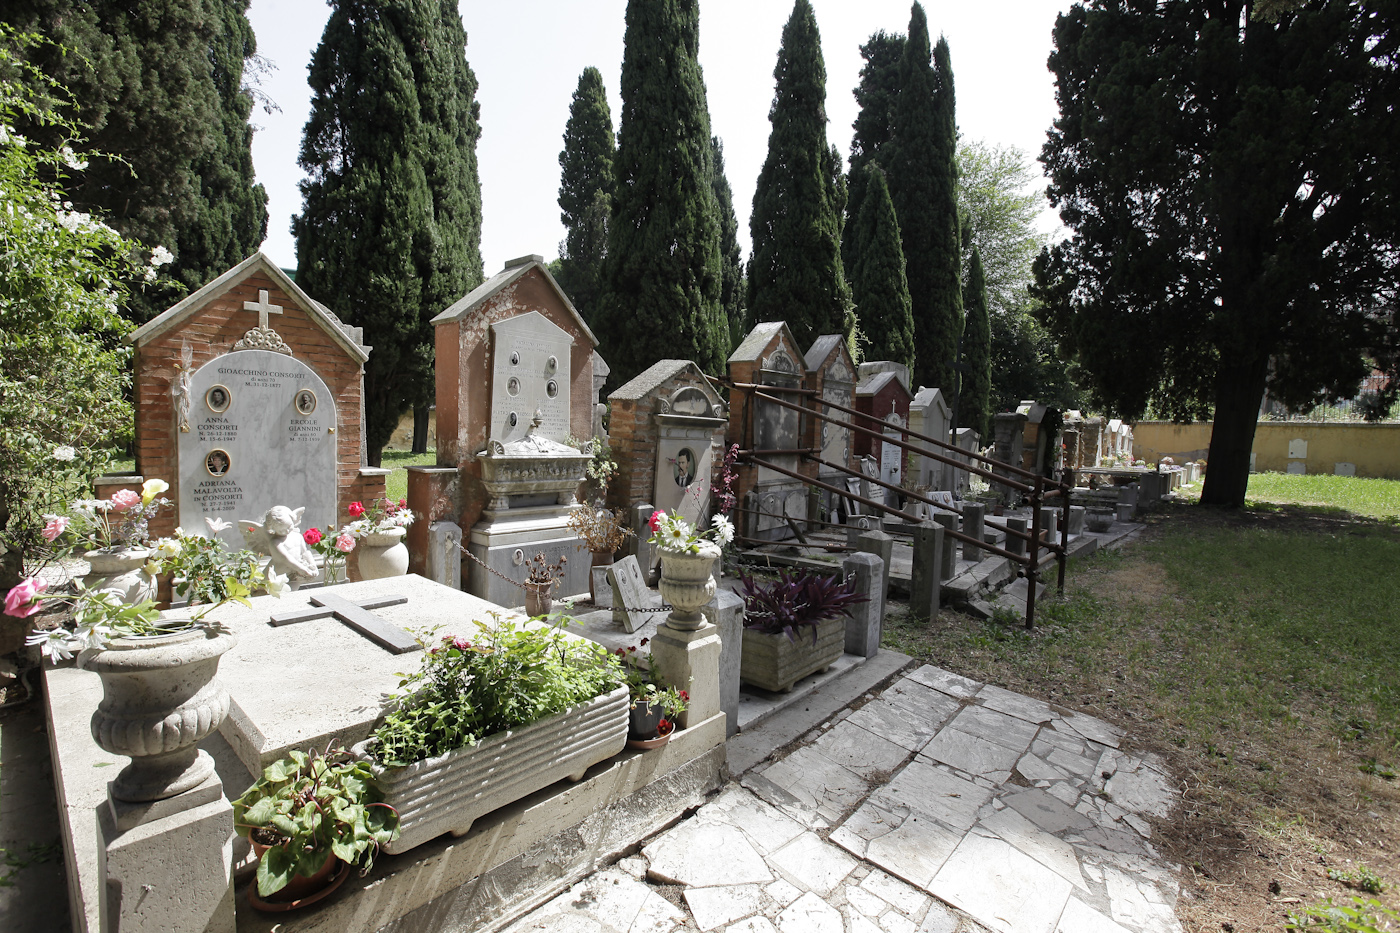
column 311, row 819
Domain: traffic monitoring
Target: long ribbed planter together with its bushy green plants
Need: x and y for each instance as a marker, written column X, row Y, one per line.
column 486, row 721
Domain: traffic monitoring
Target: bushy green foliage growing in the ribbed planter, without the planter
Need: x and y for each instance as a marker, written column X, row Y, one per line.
column 467, row 690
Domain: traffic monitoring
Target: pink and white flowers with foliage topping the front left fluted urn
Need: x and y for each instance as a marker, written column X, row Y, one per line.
column 205, row 572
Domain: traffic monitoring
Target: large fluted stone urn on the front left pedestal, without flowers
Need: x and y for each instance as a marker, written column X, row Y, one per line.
column 160, row 698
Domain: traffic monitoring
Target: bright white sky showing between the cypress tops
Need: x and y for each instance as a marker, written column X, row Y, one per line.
column 528, row 61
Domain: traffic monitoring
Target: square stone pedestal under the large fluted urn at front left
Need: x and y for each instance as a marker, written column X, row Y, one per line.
column 167, row 866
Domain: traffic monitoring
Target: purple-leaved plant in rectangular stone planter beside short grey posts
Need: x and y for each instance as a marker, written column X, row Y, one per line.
column 782, row 616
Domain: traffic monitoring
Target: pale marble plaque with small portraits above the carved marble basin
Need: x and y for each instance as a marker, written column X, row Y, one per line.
column 530, row 373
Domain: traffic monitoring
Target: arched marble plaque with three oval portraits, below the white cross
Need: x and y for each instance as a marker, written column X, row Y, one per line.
column 262, row 435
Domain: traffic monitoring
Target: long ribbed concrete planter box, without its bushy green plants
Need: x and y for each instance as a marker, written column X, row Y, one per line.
column 451, row 792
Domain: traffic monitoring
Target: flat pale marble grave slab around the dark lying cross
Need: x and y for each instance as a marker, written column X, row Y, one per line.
column 306, row 684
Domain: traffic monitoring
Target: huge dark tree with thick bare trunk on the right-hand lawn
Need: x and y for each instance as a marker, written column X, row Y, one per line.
column 1231, row 186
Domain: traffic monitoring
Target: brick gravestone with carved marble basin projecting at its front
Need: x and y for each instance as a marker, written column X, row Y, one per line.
column 514, row 382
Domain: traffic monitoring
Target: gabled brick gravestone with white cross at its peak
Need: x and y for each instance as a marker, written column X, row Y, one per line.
column 250, row 396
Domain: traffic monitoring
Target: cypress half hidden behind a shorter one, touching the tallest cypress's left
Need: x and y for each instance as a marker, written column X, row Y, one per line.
column 876, row 96
